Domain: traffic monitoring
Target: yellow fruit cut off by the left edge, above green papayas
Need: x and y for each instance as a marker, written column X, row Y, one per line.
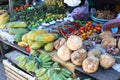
column 4, row 17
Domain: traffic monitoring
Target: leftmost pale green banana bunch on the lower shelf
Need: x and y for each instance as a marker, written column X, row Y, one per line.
column 22, row 61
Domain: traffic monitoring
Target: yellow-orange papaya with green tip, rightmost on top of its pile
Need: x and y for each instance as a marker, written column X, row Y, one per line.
column 46, row 38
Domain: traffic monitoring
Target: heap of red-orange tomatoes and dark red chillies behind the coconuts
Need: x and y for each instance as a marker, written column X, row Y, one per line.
column 75, row 28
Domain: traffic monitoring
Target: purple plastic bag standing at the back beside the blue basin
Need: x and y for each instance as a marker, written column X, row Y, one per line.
column 81, row 13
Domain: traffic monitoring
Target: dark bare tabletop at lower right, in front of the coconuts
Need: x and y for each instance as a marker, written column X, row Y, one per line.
column 103, row 74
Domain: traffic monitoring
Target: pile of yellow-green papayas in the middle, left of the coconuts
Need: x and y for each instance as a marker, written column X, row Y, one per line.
column 36, row 39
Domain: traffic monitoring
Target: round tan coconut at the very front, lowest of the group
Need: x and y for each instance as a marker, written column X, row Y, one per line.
column 90, row 64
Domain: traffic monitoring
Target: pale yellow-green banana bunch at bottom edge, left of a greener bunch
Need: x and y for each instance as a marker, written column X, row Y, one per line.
column 42, row 74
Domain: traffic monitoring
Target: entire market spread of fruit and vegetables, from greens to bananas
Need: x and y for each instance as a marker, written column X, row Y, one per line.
column 44, row 32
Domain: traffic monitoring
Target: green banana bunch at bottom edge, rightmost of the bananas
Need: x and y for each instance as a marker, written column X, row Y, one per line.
column 57, row 73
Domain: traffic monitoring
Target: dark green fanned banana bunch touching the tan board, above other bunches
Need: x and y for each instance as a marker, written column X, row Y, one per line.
column 46, row 60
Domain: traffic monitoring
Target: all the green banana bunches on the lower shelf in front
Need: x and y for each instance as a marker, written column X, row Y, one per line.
column 43, row 67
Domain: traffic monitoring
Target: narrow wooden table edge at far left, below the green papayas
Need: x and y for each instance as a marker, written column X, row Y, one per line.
column 15, row 46
